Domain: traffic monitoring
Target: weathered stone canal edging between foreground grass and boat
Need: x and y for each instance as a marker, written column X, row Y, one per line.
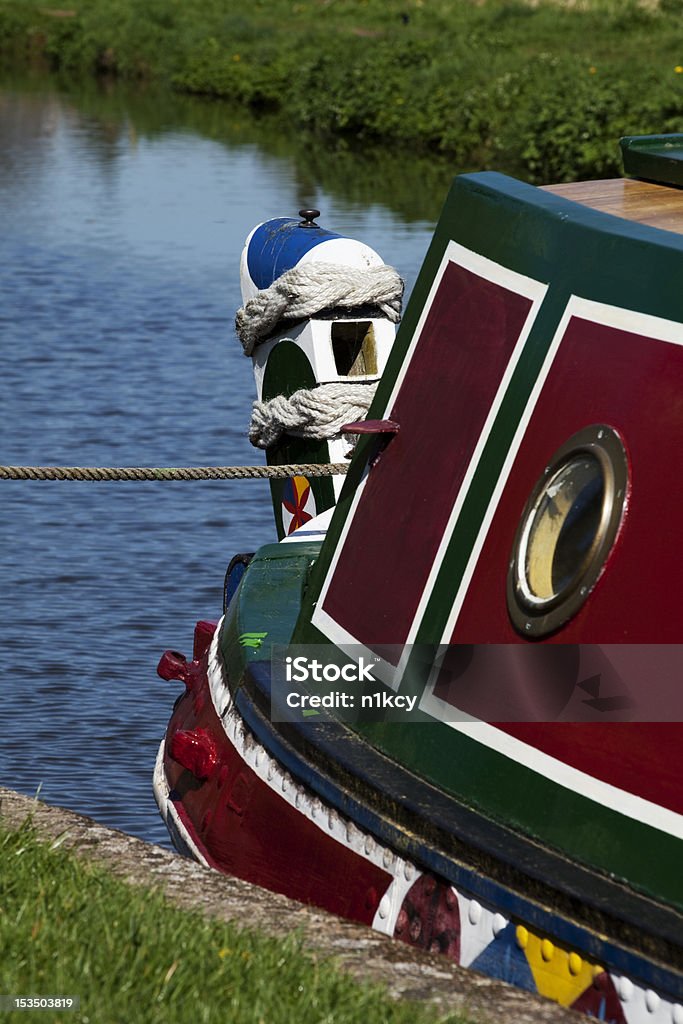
column 406, row 973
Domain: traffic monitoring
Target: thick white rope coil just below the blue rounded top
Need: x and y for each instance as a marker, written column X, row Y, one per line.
column 308, row 289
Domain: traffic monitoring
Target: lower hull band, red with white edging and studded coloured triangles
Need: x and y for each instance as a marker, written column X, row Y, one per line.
column 241, row 815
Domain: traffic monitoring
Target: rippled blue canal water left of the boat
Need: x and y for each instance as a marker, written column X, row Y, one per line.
column 122, row 220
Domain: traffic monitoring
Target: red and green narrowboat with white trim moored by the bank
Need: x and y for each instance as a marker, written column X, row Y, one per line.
column 447, row 703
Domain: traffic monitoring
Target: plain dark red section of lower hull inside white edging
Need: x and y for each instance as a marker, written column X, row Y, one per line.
column 253, row 832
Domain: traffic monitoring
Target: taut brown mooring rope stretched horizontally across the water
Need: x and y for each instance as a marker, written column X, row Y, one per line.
column 164, row 474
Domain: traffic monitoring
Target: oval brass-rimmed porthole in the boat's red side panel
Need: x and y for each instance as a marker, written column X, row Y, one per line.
column 567, row 531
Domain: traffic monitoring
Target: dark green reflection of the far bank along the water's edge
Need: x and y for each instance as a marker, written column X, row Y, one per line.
column 408, row 184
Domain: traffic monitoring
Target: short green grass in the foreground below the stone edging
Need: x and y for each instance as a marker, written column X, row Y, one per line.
column 69, row 928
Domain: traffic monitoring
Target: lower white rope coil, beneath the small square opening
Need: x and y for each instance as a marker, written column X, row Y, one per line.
column 319, row 413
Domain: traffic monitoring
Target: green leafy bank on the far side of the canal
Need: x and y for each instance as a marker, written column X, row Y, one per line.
column 541, row 90
